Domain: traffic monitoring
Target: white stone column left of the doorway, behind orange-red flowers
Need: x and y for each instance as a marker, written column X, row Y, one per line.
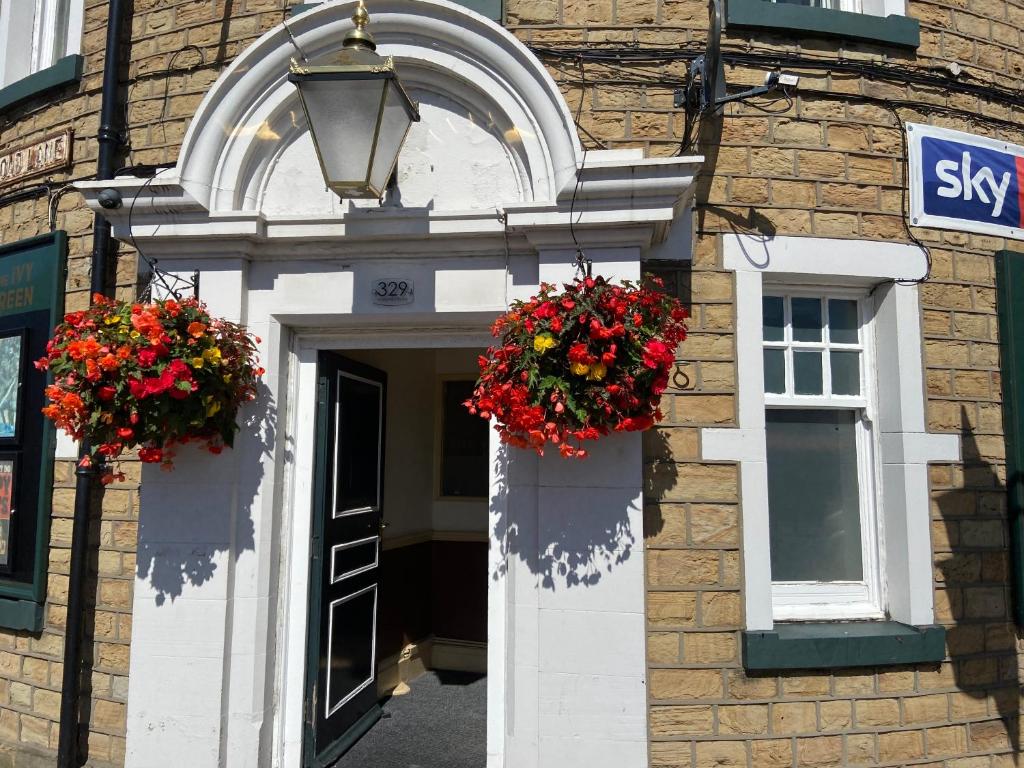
column 202, row 612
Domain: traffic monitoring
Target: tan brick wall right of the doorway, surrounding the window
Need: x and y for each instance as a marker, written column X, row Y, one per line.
column 830, row 164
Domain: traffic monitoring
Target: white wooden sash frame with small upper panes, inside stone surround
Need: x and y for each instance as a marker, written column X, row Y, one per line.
column 818, row 601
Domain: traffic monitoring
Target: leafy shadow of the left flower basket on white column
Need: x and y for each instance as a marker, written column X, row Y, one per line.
column 180, row 544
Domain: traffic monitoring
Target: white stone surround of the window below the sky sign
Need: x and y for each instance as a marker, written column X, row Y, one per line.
column 905, row 447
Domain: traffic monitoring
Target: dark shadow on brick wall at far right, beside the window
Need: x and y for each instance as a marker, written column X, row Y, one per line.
column 984, row 645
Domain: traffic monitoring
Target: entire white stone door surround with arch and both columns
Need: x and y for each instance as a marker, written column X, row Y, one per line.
column 487, row 185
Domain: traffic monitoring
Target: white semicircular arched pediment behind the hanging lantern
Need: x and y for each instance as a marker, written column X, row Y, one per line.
column 495, row 130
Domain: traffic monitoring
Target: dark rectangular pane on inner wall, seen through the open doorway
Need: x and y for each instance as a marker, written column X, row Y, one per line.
column 464, row 445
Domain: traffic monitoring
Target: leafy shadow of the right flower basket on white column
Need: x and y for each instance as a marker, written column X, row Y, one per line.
column 583, row 531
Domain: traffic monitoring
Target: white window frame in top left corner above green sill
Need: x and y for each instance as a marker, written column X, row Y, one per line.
column 29, row 35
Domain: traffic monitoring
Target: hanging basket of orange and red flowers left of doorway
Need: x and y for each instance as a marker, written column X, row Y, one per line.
column 149, row 376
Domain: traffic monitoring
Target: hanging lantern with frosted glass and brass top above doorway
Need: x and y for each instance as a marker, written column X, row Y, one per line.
column 359, row 114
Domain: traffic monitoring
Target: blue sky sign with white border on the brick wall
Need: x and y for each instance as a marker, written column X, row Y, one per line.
column 963, row 182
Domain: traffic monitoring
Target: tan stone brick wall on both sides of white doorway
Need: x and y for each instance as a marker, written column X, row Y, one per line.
column 828, row 165
